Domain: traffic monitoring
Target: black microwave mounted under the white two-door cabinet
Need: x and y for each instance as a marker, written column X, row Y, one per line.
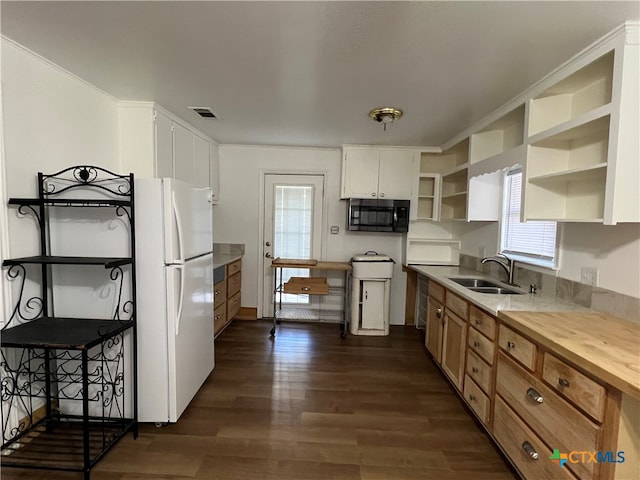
column 373, row 215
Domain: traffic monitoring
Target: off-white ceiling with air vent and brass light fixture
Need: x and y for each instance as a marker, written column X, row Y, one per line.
column 307, row 73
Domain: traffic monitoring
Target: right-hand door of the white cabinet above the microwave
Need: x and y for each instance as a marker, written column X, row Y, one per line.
column 397, row 174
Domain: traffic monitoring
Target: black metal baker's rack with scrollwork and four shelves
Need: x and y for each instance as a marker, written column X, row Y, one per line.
column 69, row 385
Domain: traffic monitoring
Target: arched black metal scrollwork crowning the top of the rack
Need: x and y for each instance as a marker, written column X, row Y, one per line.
column 84, row 175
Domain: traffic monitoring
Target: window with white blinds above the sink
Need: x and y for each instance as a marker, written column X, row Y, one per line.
column 531, row 242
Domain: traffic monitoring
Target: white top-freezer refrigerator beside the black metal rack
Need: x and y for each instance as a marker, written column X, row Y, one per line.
column 174, row 280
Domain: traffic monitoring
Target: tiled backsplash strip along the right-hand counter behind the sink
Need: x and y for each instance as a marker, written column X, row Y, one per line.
column 596, row 298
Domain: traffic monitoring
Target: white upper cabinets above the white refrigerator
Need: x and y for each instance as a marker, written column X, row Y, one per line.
column 154, row 143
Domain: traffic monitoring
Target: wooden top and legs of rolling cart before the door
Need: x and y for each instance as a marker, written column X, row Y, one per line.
column 280, row 263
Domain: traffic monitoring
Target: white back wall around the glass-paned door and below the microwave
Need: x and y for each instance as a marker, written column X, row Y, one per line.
column 237, row 216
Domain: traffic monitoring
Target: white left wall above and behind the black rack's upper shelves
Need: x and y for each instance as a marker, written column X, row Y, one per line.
column 52, row 120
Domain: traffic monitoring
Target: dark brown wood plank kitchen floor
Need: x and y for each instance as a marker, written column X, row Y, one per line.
column 310, row 405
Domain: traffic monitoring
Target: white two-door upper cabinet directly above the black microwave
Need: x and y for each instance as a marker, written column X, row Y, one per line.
column 378, row 173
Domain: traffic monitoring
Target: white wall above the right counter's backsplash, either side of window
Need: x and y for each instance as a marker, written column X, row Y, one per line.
column 613, row 250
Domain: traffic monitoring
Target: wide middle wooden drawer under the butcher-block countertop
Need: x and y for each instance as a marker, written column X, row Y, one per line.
column 553, row 419
